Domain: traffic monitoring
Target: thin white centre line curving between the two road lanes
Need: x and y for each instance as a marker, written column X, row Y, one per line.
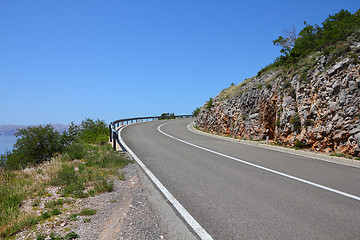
column 264, row 168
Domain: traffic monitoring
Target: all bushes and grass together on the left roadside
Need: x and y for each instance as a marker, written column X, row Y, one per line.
column 77, row 163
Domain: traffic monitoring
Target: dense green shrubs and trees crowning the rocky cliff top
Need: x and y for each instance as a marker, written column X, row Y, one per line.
column 331, row 40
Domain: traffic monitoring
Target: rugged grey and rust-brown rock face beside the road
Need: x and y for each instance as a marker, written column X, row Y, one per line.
column 316, row 103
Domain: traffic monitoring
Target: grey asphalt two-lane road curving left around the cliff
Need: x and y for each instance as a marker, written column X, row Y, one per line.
column 234, row 200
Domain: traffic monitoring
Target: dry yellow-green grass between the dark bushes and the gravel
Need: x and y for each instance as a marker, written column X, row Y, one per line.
column 19, row 189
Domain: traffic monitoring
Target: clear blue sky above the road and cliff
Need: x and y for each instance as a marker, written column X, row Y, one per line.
column 66, row 60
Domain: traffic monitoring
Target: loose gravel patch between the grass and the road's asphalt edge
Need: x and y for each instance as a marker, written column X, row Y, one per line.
column 124, row 213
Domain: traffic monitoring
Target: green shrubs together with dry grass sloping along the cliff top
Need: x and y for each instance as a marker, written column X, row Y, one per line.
column 301, row 50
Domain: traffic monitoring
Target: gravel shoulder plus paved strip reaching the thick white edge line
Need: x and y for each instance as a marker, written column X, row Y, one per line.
column 135, row 209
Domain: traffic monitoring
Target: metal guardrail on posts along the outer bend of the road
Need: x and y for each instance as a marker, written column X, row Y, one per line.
column 122, row 122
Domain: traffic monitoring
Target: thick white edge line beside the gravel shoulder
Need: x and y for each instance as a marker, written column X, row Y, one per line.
column 182, row 211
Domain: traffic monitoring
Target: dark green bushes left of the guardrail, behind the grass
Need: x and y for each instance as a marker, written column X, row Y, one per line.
column 40, row 143
